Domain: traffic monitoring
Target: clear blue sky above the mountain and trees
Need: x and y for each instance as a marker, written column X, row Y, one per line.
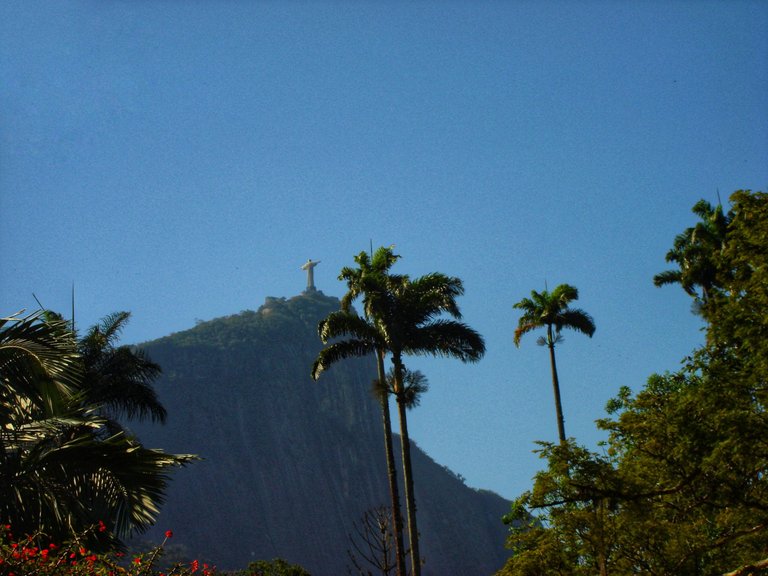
column 182, row 159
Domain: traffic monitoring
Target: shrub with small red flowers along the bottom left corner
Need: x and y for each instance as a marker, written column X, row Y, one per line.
column 35, row 555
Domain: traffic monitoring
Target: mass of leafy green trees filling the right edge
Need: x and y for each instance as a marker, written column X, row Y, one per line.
column 682, row 485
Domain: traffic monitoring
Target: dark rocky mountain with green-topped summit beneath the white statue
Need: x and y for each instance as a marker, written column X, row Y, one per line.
column 289, row 463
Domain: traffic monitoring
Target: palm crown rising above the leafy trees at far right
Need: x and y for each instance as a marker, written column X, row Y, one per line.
column 695, row 251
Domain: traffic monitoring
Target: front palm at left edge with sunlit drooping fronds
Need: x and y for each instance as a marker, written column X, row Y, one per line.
column 61, row 468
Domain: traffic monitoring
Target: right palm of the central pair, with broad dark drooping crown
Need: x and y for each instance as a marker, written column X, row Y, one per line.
column 406, row 316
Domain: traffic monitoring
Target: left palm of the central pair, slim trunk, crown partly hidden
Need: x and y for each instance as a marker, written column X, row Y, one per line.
column 362, row 339
